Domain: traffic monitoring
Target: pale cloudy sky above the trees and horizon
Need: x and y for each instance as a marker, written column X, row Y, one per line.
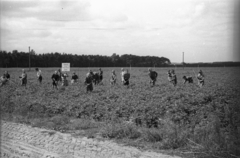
column 205, row 30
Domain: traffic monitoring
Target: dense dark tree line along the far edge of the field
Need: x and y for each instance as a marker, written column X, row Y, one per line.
column 21, row 59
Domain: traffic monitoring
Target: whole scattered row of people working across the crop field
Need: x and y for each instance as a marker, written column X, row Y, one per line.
column 97, row 77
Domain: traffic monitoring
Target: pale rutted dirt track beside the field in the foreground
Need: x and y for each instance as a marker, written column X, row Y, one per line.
column 22, row 141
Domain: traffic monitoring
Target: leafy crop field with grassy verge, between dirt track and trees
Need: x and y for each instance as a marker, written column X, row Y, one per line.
column 197, row 122
